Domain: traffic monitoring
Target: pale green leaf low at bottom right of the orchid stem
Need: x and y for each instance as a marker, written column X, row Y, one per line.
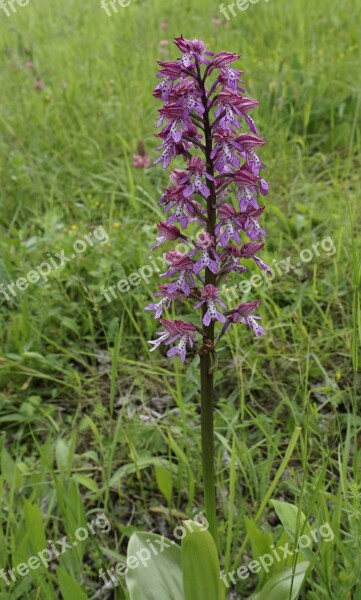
column 279, row 586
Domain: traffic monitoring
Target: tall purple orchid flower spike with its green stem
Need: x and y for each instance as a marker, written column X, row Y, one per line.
column 205, row 122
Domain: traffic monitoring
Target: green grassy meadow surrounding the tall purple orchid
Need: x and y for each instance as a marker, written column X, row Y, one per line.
column 86, row 413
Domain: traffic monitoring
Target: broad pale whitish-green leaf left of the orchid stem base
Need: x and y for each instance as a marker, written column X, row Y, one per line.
column 154, row 575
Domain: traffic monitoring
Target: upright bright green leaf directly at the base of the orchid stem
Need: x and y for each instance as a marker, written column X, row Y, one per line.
column 201, row 572
